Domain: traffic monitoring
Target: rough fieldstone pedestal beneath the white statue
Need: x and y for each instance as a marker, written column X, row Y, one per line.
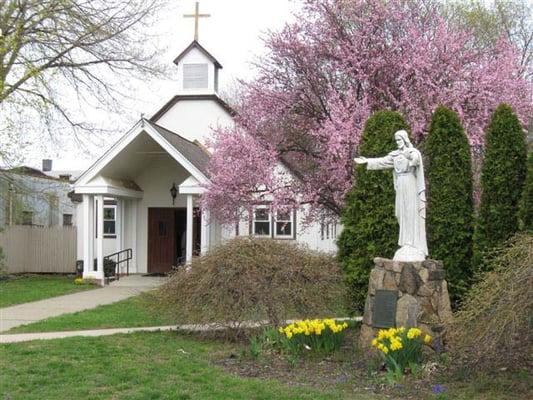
column 422, row 297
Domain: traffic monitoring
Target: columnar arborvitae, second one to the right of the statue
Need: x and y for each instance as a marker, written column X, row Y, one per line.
column 502, row 180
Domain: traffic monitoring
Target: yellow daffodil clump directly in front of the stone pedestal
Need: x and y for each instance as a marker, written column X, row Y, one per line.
column 400, row 347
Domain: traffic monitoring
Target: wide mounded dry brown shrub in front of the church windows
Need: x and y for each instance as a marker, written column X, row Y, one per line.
column 249, row 279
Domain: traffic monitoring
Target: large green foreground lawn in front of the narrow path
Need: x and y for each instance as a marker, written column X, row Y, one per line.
column 134, row 366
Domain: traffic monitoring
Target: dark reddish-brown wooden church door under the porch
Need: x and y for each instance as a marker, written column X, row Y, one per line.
column 161, row 239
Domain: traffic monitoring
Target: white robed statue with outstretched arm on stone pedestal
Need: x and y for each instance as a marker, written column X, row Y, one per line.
column 410, row 207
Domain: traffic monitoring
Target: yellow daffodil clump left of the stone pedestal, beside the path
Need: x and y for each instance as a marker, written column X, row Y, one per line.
column 315, row 335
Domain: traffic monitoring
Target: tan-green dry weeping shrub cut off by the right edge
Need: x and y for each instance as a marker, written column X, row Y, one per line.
column 494, row 327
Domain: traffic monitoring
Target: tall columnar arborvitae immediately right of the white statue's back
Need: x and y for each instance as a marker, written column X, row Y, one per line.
column 450, row 216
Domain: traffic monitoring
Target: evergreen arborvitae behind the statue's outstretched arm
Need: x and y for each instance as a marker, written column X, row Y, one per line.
column 370, row 228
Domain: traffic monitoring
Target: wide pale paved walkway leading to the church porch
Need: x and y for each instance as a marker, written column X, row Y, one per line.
column 26, row 313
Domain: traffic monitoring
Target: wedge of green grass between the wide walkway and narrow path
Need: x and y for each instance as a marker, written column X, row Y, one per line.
column 133, row 312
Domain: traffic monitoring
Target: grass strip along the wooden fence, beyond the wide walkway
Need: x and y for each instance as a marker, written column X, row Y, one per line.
column 28, row 288
